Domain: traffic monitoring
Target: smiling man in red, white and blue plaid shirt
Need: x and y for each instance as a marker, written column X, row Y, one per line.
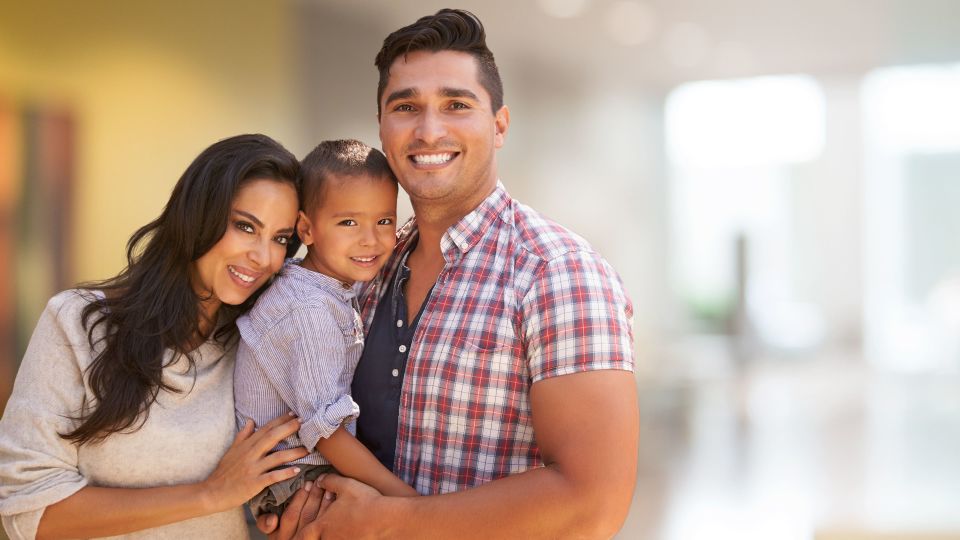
column 497, row 377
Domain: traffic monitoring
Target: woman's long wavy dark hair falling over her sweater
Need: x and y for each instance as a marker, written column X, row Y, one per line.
column 151, row 306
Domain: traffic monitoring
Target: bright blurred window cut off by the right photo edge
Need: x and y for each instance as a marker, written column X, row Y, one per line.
column 911, row 121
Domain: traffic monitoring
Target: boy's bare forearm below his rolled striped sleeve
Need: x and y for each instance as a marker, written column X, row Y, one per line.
column 351, row 458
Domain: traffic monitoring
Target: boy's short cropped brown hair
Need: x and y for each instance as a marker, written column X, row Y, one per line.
column 344, row 157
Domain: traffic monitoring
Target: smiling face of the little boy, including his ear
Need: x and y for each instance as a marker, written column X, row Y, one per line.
column 350, row 235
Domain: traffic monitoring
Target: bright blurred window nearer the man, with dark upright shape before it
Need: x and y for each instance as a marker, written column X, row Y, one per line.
column 733, row 146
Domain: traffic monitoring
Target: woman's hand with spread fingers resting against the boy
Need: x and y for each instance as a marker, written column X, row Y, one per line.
column 247, row 466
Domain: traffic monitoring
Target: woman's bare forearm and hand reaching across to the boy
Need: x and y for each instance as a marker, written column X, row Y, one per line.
column 242, row 473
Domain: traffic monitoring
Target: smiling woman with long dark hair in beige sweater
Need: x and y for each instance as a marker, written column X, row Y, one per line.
column 121, row 417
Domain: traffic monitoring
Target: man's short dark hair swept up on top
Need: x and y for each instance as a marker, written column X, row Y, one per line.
column 446, row 30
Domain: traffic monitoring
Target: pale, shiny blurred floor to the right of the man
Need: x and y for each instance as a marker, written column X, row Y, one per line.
column 797, row 448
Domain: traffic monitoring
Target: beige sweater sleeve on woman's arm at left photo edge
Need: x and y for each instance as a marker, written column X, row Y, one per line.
column 37, row 466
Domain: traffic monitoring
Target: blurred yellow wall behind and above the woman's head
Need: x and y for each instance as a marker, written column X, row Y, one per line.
column 150, row 84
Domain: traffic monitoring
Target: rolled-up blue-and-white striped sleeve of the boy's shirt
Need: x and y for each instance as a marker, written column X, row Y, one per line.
column 306, row 359
